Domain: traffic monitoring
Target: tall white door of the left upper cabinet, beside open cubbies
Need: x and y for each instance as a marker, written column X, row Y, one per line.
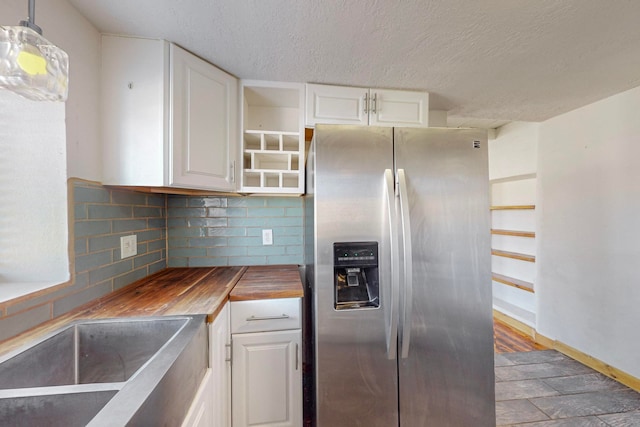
column 204, row 118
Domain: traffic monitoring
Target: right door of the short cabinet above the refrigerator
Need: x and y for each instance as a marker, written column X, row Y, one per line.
column 398, row 108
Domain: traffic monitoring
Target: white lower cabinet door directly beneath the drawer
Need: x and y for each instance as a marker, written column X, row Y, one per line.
column 267, row 379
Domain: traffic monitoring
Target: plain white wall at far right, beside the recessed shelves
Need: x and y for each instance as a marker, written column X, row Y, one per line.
column 589, row 230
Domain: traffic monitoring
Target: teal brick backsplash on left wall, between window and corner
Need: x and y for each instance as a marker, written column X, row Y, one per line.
column 100, row 216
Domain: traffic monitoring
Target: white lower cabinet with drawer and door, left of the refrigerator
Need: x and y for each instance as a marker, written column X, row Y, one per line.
column 267, row 365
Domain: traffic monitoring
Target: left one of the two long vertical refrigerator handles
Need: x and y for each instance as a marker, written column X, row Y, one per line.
column 391, row 322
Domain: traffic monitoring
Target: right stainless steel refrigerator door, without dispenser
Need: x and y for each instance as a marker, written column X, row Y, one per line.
column 446, row 374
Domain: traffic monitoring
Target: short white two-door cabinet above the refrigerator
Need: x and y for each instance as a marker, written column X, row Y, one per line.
column 363, row 106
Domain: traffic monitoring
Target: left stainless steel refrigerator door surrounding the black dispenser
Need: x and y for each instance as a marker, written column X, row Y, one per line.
column 356, row 374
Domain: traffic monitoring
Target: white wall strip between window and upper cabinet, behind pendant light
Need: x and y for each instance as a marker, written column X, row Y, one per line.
column 65, row 27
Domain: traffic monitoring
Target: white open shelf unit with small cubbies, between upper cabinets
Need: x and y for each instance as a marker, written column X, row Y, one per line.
column 273, row 137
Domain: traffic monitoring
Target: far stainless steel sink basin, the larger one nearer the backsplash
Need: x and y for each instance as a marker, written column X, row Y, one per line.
column 88, row 352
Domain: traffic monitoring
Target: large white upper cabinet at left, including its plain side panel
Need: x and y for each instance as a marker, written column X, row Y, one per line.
column 169, row 118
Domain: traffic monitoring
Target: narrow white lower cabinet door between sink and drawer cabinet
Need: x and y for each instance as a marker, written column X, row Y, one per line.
column 219, row 360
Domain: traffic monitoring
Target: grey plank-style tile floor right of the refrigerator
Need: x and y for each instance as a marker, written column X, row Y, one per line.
column 547, row 389
